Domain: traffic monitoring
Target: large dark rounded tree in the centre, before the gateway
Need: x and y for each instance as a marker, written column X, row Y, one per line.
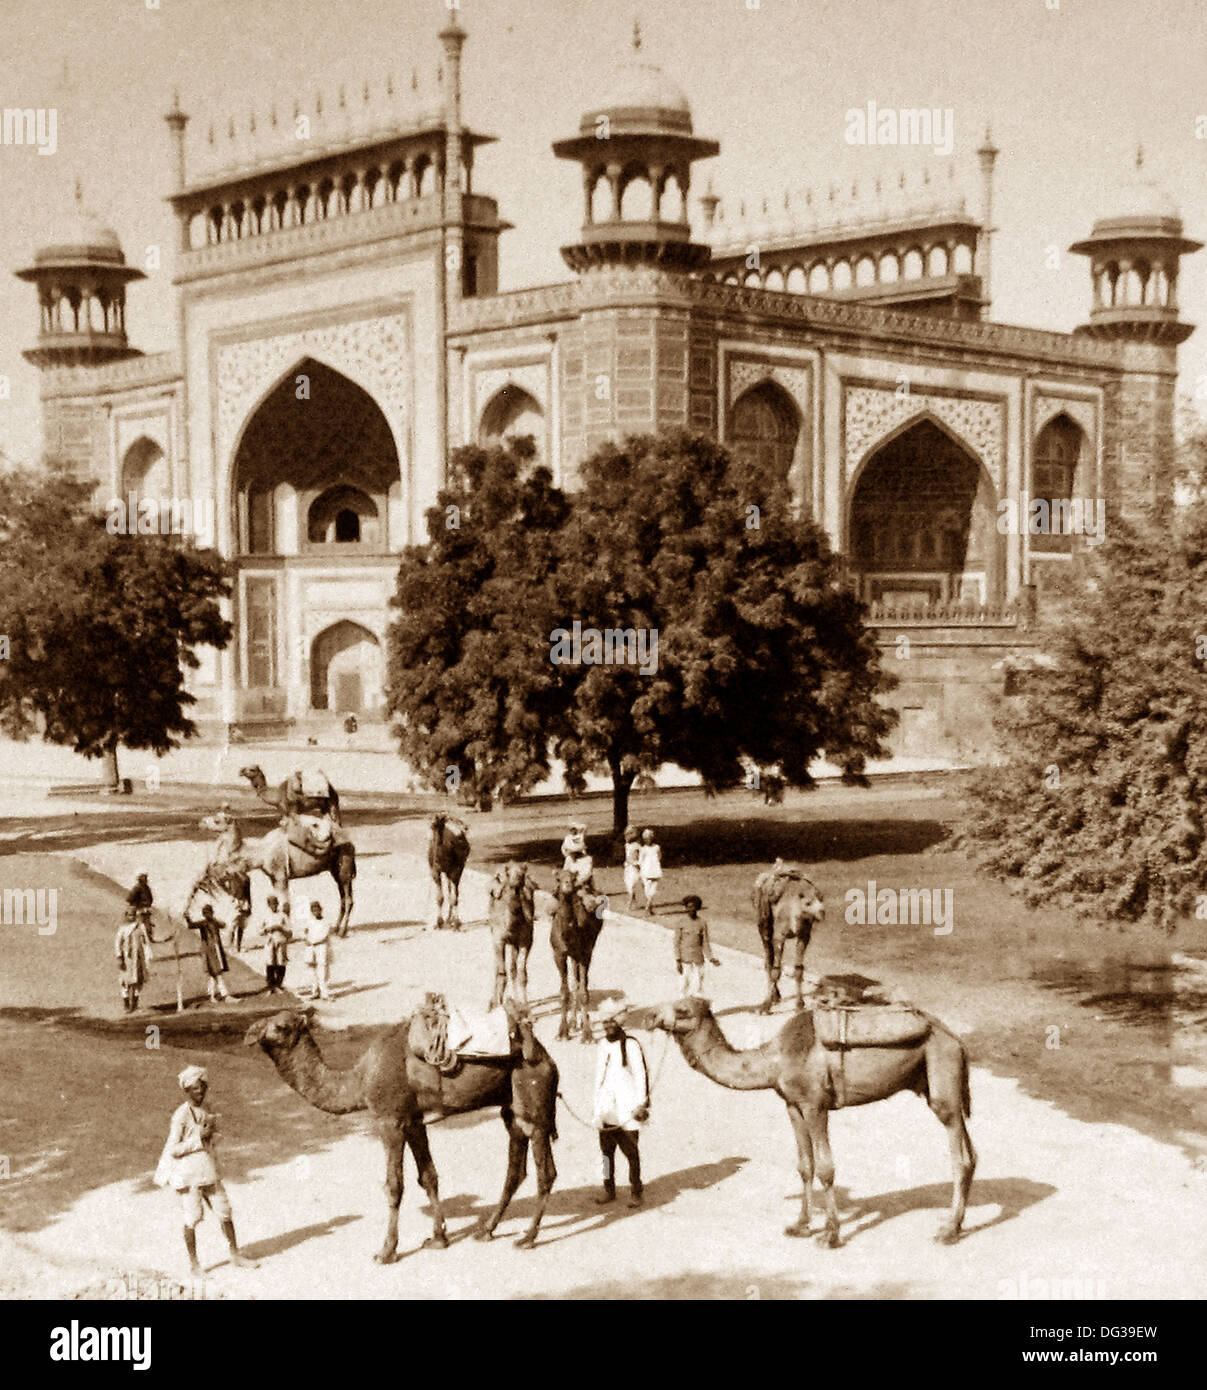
column 739, row 646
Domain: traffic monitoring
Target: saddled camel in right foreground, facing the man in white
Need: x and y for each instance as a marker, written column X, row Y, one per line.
column 816, row 1079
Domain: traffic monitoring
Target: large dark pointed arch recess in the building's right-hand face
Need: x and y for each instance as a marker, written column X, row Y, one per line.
column 924, row 523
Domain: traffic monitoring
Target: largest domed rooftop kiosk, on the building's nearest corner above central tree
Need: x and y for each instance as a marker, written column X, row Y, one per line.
column 640, row 131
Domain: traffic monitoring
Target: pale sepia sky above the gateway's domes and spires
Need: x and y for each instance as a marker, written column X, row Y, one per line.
column 1070, row 92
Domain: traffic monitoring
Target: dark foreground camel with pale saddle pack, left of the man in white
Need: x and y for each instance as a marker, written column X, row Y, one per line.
column 398, row 1088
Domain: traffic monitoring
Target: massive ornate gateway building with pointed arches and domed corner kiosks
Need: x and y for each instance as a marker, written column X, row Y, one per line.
column 341, row 330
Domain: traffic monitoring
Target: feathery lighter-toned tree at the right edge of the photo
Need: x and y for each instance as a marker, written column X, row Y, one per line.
column 1105, row 753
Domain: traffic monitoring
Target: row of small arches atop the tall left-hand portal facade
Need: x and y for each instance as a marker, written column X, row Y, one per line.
column 305, row 204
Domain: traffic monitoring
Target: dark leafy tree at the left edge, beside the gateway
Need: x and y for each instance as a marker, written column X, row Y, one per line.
column 101, row 626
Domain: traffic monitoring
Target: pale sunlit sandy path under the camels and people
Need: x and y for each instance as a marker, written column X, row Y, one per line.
column 1059, row 1207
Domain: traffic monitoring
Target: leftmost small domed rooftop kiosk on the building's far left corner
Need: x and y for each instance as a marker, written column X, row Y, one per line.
column 81, row 277
